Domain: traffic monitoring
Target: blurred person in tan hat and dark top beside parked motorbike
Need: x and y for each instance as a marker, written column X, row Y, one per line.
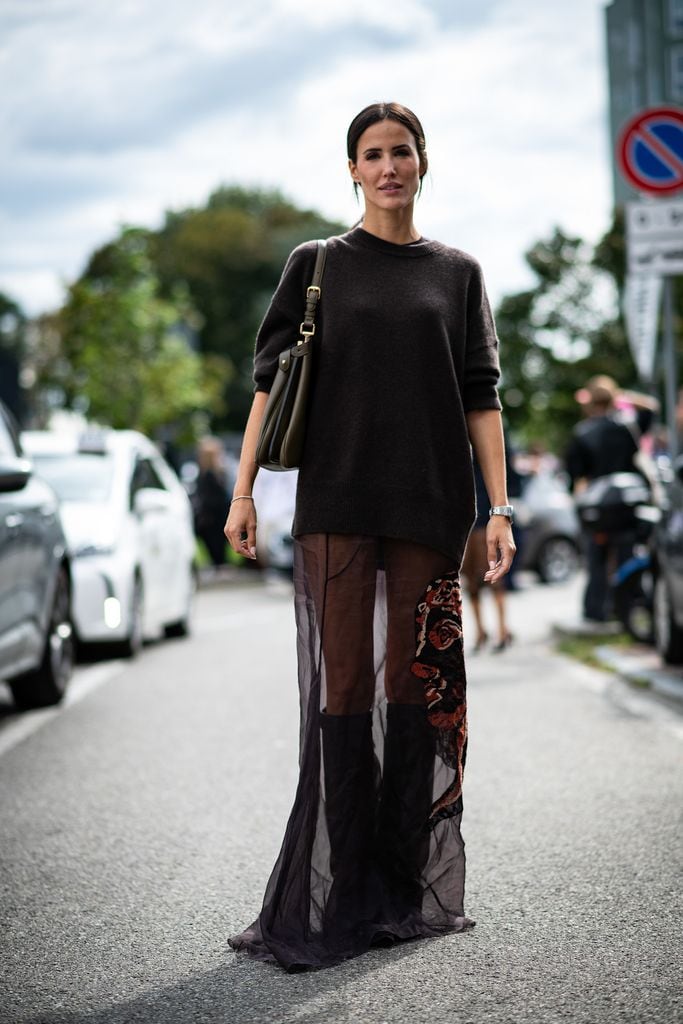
column 606, row 443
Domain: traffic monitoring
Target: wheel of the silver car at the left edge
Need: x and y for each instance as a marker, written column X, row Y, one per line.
column 48, row 685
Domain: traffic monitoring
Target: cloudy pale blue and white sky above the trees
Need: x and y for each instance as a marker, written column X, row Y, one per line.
column 115, row 113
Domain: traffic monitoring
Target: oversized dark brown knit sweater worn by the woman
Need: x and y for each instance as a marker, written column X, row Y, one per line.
column 405, row 347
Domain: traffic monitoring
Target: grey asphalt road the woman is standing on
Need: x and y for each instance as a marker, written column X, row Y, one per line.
column 141, row 822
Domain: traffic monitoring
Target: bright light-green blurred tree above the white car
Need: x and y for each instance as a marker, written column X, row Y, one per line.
column 120, row 352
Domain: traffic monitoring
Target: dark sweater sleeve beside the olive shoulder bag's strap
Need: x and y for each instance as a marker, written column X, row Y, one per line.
column 279, row 329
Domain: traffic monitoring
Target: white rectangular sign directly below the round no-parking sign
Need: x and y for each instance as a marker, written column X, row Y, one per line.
column 655, row 237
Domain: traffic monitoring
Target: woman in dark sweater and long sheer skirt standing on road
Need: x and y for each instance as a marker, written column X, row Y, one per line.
column 406, row 378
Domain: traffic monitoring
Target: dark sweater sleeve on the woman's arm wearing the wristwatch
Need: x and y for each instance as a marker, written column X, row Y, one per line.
column 482, row 364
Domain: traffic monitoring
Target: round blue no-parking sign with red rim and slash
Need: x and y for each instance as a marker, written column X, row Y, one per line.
column 651, row 151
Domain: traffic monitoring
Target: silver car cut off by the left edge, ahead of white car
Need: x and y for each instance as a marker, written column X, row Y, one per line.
column 36, row 638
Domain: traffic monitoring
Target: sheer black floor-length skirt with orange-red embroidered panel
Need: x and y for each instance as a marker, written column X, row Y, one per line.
column 373, row 850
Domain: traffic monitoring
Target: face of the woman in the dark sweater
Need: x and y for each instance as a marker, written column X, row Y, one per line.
column 388, row 166
